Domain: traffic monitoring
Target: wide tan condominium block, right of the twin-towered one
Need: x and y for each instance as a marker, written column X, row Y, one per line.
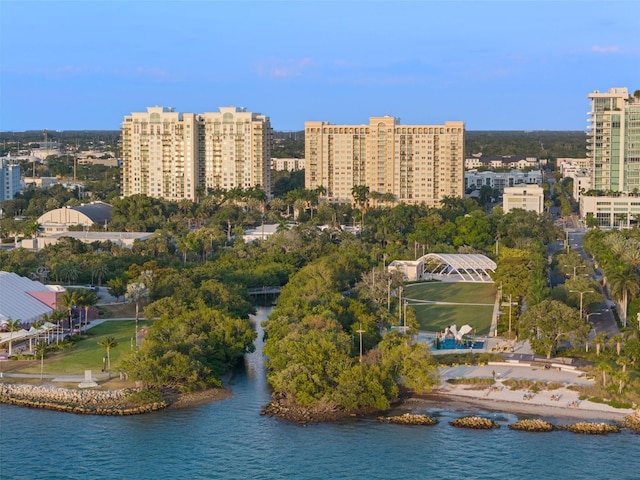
column 402, row 163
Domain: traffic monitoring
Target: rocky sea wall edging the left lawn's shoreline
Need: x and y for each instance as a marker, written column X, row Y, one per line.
column 91, row 402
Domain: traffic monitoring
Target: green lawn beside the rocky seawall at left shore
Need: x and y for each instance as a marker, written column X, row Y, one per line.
column 86, row 354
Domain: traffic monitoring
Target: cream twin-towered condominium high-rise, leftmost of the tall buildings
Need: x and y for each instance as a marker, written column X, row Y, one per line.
column 171, row 155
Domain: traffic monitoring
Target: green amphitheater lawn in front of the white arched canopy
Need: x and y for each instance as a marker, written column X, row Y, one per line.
column 435, row 318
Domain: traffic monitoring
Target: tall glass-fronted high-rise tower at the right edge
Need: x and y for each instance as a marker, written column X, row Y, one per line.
column 613, row 140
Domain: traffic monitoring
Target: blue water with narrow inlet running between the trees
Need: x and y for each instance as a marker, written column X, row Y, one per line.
column 230, row 440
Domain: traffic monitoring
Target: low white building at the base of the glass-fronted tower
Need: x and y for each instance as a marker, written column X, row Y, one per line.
column 622, row 211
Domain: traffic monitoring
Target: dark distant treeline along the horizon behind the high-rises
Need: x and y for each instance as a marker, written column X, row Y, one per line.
column 540, row 143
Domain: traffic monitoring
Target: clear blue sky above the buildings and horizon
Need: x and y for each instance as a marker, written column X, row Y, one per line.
column 496, row 65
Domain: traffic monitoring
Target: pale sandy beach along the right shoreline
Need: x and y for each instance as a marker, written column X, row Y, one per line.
column 560, row 402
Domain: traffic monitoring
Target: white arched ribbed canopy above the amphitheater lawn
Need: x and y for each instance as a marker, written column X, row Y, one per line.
column 468, row 267
